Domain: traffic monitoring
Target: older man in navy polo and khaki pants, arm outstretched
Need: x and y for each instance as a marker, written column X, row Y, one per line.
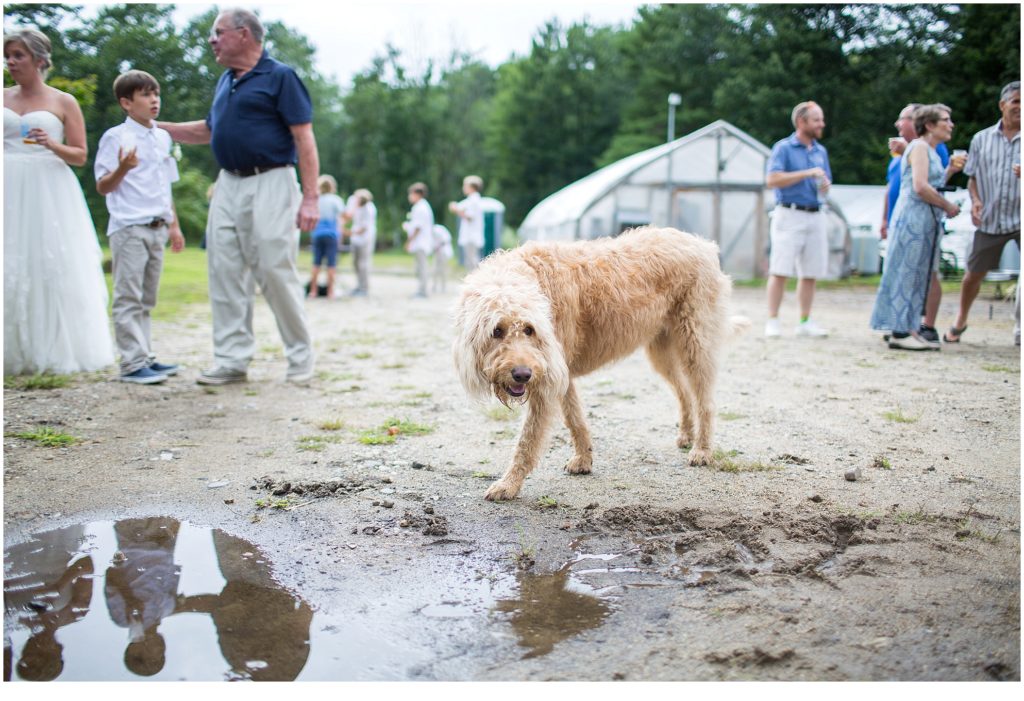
column 260, row 125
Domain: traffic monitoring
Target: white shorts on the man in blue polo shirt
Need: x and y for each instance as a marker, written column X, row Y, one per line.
column 799, row 244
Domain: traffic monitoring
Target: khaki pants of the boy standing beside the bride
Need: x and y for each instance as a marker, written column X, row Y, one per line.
column 138, row 254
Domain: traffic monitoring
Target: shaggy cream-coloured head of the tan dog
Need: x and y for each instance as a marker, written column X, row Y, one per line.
column 505, row 345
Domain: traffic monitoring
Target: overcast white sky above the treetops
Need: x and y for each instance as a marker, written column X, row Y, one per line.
column 348, row 35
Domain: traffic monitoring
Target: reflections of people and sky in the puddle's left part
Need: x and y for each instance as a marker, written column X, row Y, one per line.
column 148, row 598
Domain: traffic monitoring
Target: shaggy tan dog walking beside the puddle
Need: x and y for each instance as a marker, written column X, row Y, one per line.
column 531, row 320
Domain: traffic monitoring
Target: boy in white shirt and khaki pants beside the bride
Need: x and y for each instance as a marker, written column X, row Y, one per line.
column 135, row 170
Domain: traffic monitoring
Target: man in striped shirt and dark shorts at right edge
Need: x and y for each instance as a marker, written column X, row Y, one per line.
column 995, row 170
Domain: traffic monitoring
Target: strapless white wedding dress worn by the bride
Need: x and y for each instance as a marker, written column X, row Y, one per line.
column 55, row 311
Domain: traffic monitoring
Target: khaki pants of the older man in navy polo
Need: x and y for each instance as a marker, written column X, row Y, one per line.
column 251, row 240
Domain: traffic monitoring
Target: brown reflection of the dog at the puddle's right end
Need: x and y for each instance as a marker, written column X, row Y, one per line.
column 552, row 608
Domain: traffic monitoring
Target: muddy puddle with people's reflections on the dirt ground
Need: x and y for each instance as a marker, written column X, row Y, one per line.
column 162, row 599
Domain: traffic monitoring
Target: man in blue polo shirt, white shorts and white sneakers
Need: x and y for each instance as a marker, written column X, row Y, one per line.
column 798, row 169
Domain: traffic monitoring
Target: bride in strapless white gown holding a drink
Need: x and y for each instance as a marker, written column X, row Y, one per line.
column 55, row 316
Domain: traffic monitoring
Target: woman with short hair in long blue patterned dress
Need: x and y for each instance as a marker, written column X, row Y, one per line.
column 914, row 241
